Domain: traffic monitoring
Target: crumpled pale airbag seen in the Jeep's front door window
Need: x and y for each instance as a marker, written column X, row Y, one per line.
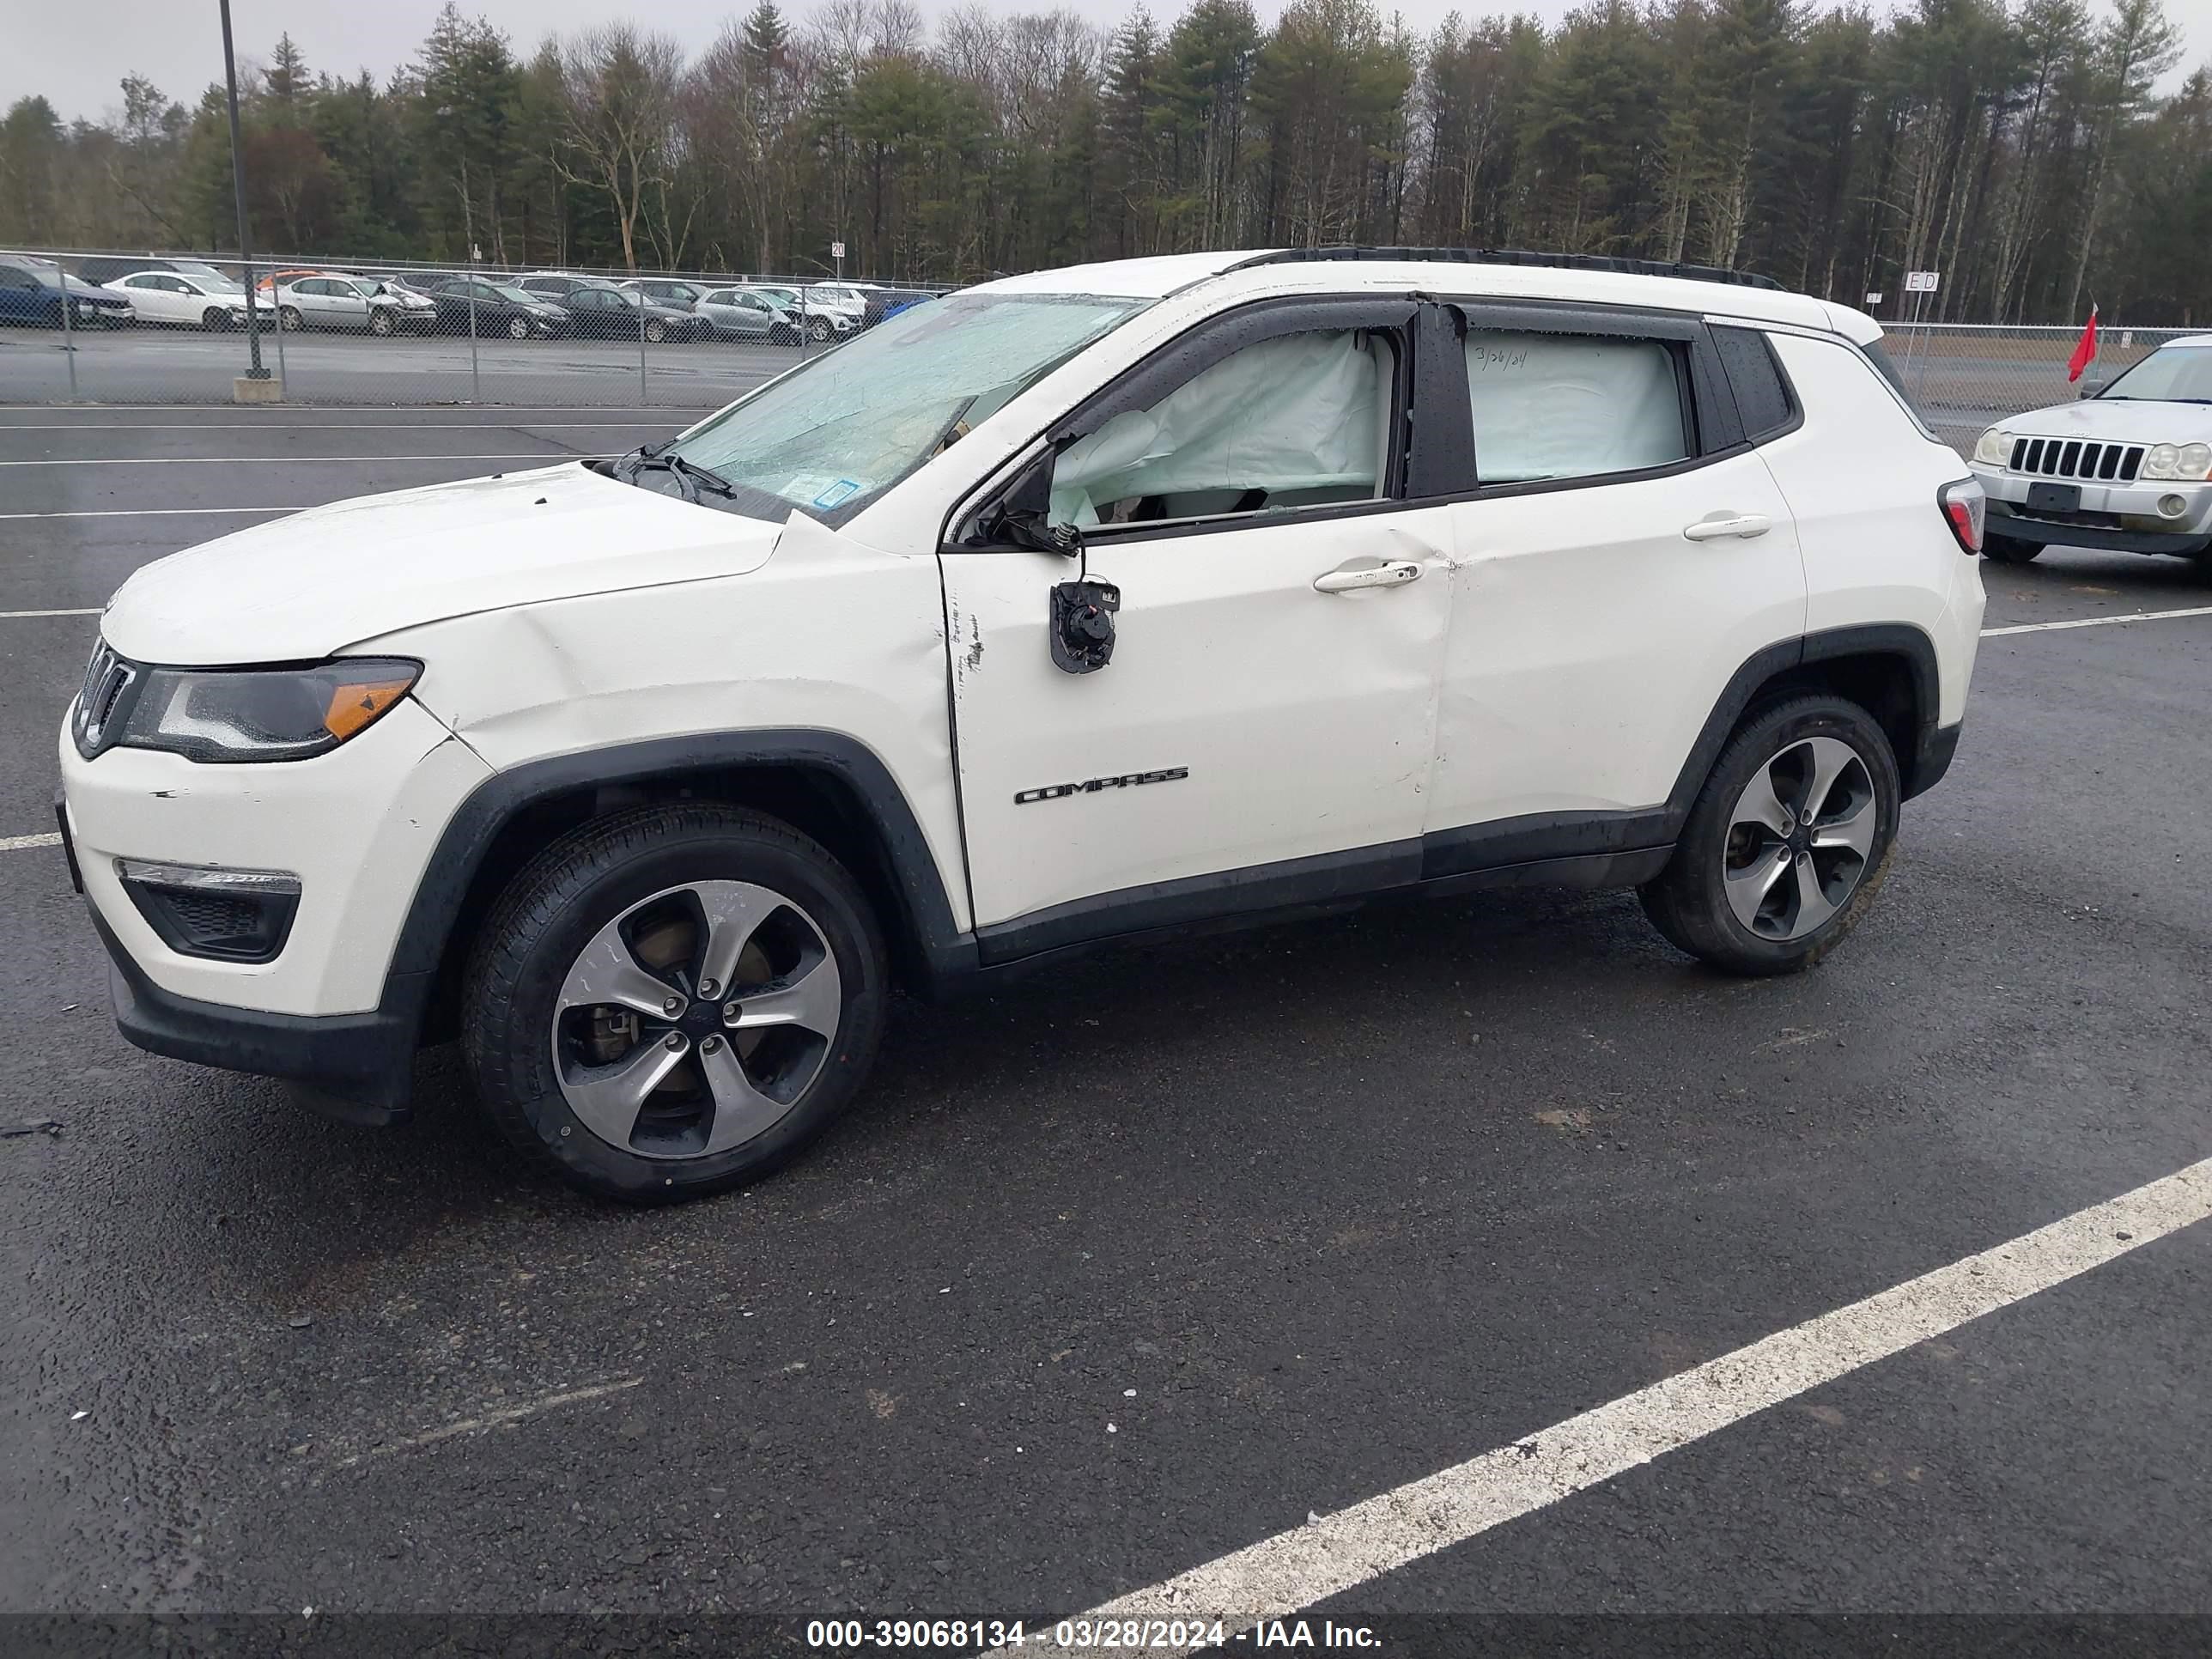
column 1295, row 413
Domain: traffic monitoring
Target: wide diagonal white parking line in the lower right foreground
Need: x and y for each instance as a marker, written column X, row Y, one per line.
column 1333, row 1554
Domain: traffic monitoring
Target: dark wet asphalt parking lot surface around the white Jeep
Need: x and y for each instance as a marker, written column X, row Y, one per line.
column 1131, row 1269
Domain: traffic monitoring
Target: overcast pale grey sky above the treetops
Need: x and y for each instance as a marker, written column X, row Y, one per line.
column 81, row 59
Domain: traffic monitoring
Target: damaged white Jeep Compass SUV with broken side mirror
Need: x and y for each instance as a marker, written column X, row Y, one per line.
column 1076, row 607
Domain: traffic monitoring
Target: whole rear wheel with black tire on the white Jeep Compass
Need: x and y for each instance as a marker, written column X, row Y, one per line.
column 1788, row 842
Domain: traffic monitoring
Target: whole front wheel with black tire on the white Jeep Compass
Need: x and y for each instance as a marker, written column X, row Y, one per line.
column 674, row 1001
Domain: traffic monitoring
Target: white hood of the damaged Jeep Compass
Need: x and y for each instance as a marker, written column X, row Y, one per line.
column 315, row 583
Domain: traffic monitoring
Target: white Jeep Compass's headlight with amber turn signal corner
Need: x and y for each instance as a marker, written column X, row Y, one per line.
column 262, row 713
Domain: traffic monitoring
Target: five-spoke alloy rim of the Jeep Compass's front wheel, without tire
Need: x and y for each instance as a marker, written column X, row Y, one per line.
column 696, row 1021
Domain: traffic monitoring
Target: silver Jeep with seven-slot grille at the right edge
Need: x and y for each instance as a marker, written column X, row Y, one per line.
column 2122, row 470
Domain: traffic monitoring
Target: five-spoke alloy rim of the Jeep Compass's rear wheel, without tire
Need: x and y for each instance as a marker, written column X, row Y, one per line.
column 1799, row 839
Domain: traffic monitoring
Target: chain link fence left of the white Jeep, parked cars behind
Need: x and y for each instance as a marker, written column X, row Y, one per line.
column 174, row 328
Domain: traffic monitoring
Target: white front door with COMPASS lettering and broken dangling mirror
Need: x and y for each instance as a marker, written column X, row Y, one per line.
column 1264, row 731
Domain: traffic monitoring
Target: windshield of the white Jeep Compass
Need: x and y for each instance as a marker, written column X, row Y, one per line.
column 853, row 424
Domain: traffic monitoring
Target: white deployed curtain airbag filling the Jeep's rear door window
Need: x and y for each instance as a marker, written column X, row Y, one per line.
column 1567, row 406
